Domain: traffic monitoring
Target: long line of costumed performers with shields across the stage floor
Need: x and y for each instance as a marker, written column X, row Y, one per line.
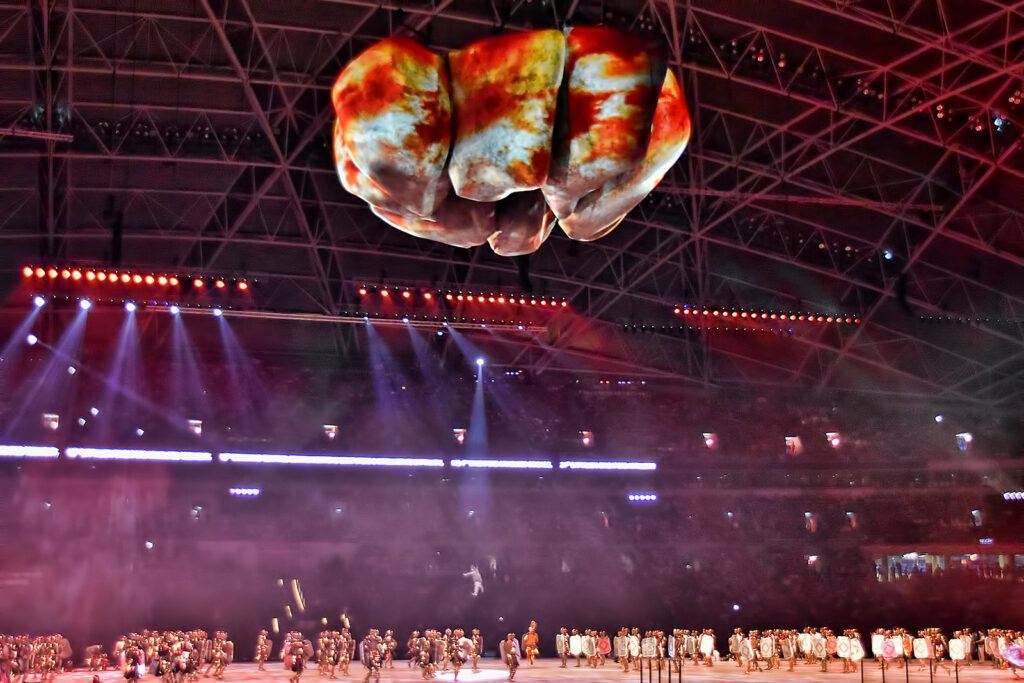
column 186, row 657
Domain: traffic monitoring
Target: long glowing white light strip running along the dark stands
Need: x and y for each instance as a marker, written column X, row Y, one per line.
column 273, row 459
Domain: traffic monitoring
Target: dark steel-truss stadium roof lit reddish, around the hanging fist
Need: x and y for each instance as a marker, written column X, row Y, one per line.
column 858, row 157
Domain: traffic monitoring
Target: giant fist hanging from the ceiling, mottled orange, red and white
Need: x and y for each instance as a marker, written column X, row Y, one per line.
column 510, row 137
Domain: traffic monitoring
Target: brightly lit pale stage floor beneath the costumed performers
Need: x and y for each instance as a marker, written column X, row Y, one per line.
column 548, row 671
